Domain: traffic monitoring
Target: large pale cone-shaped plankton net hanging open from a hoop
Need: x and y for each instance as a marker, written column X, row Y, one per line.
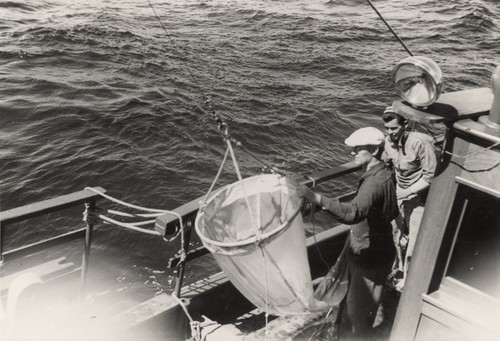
column 254, row 230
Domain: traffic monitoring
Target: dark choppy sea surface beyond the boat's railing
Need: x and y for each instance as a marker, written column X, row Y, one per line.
column 95, row 93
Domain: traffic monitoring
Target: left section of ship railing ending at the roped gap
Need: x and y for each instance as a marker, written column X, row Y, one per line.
column 46, row 207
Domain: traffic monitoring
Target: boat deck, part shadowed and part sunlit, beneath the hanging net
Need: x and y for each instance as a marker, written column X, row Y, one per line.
column 234, row 318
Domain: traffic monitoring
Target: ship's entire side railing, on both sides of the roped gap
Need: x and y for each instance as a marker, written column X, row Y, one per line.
column 165, row 225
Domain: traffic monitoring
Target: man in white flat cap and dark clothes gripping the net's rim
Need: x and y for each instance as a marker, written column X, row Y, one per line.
column 370, row 247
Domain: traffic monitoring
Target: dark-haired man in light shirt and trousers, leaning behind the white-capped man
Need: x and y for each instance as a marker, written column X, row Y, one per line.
column 413, row 159
